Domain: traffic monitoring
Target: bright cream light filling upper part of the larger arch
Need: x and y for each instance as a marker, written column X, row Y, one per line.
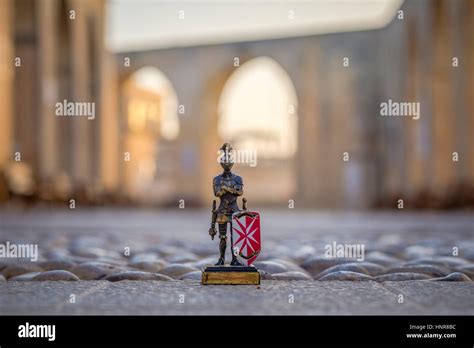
column 258, row 109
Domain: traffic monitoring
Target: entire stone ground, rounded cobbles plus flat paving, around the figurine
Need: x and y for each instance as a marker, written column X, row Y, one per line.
column 413, row 263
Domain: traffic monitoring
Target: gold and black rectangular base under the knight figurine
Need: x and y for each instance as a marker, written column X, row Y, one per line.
column 230, row 275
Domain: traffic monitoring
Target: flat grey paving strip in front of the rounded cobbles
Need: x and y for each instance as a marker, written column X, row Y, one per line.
column 272, row 298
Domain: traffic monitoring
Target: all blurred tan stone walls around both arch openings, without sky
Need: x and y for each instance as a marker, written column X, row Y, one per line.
column 338, row 110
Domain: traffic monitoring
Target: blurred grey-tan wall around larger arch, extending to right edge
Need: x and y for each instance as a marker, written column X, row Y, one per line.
column 390, row 158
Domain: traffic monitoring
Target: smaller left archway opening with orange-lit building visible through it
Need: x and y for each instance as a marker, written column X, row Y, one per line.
column 150, row 127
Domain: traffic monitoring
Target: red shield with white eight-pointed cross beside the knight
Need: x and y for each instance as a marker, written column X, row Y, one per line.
column 246, row 241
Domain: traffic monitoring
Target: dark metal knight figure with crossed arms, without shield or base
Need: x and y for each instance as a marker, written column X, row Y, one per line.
column 227, row 186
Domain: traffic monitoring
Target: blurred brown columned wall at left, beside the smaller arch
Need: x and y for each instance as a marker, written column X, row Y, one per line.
column 52, row 50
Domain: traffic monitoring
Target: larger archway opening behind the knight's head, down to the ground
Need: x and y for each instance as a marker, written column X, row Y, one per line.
column 258, row 113
